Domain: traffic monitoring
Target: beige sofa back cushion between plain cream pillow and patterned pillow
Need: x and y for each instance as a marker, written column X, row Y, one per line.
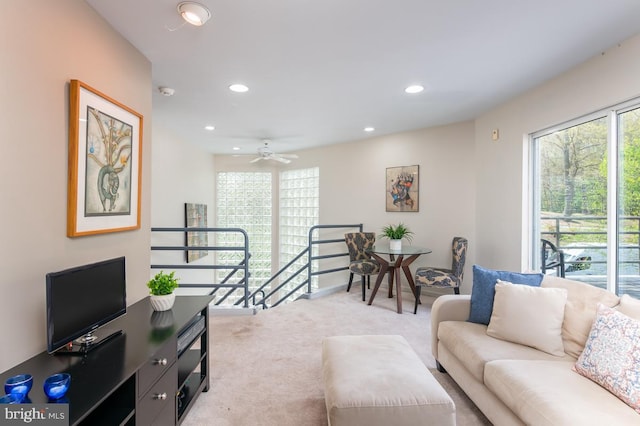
column 579, row 311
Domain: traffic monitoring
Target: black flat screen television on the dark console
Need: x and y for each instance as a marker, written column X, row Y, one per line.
column 81, row 301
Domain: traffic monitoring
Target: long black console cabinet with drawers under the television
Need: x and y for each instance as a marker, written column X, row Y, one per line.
column 150, row 374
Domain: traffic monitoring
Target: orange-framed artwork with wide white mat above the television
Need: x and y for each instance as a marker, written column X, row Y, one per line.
column 105, row 159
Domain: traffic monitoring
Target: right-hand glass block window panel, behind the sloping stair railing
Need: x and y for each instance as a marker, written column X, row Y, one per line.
column 299, row 211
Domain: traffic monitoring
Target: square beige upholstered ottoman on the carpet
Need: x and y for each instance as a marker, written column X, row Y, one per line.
column 380, row 380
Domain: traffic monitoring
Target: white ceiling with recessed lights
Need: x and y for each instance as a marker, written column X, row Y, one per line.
column 320, row 71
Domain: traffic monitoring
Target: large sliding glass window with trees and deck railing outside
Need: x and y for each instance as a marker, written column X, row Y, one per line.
column 586, row 192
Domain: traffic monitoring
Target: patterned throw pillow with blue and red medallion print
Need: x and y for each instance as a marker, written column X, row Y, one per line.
column 611, row 356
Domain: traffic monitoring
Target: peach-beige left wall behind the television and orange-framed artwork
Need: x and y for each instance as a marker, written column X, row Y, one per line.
column 61, row 40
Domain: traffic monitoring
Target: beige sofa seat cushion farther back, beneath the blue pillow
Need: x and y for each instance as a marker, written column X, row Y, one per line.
column 470, row 343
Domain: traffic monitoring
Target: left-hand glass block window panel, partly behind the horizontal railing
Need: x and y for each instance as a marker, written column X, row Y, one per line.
column 244, row 200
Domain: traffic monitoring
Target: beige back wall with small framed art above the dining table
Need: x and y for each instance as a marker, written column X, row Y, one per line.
column 352, row 186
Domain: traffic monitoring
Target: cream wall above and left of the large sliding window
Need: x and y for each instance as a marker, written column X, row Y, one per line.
column 603, row 81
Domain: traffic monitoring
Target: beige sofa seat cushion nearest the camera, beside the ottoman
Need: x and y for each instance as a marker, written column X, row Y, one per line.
column 546, row 393
